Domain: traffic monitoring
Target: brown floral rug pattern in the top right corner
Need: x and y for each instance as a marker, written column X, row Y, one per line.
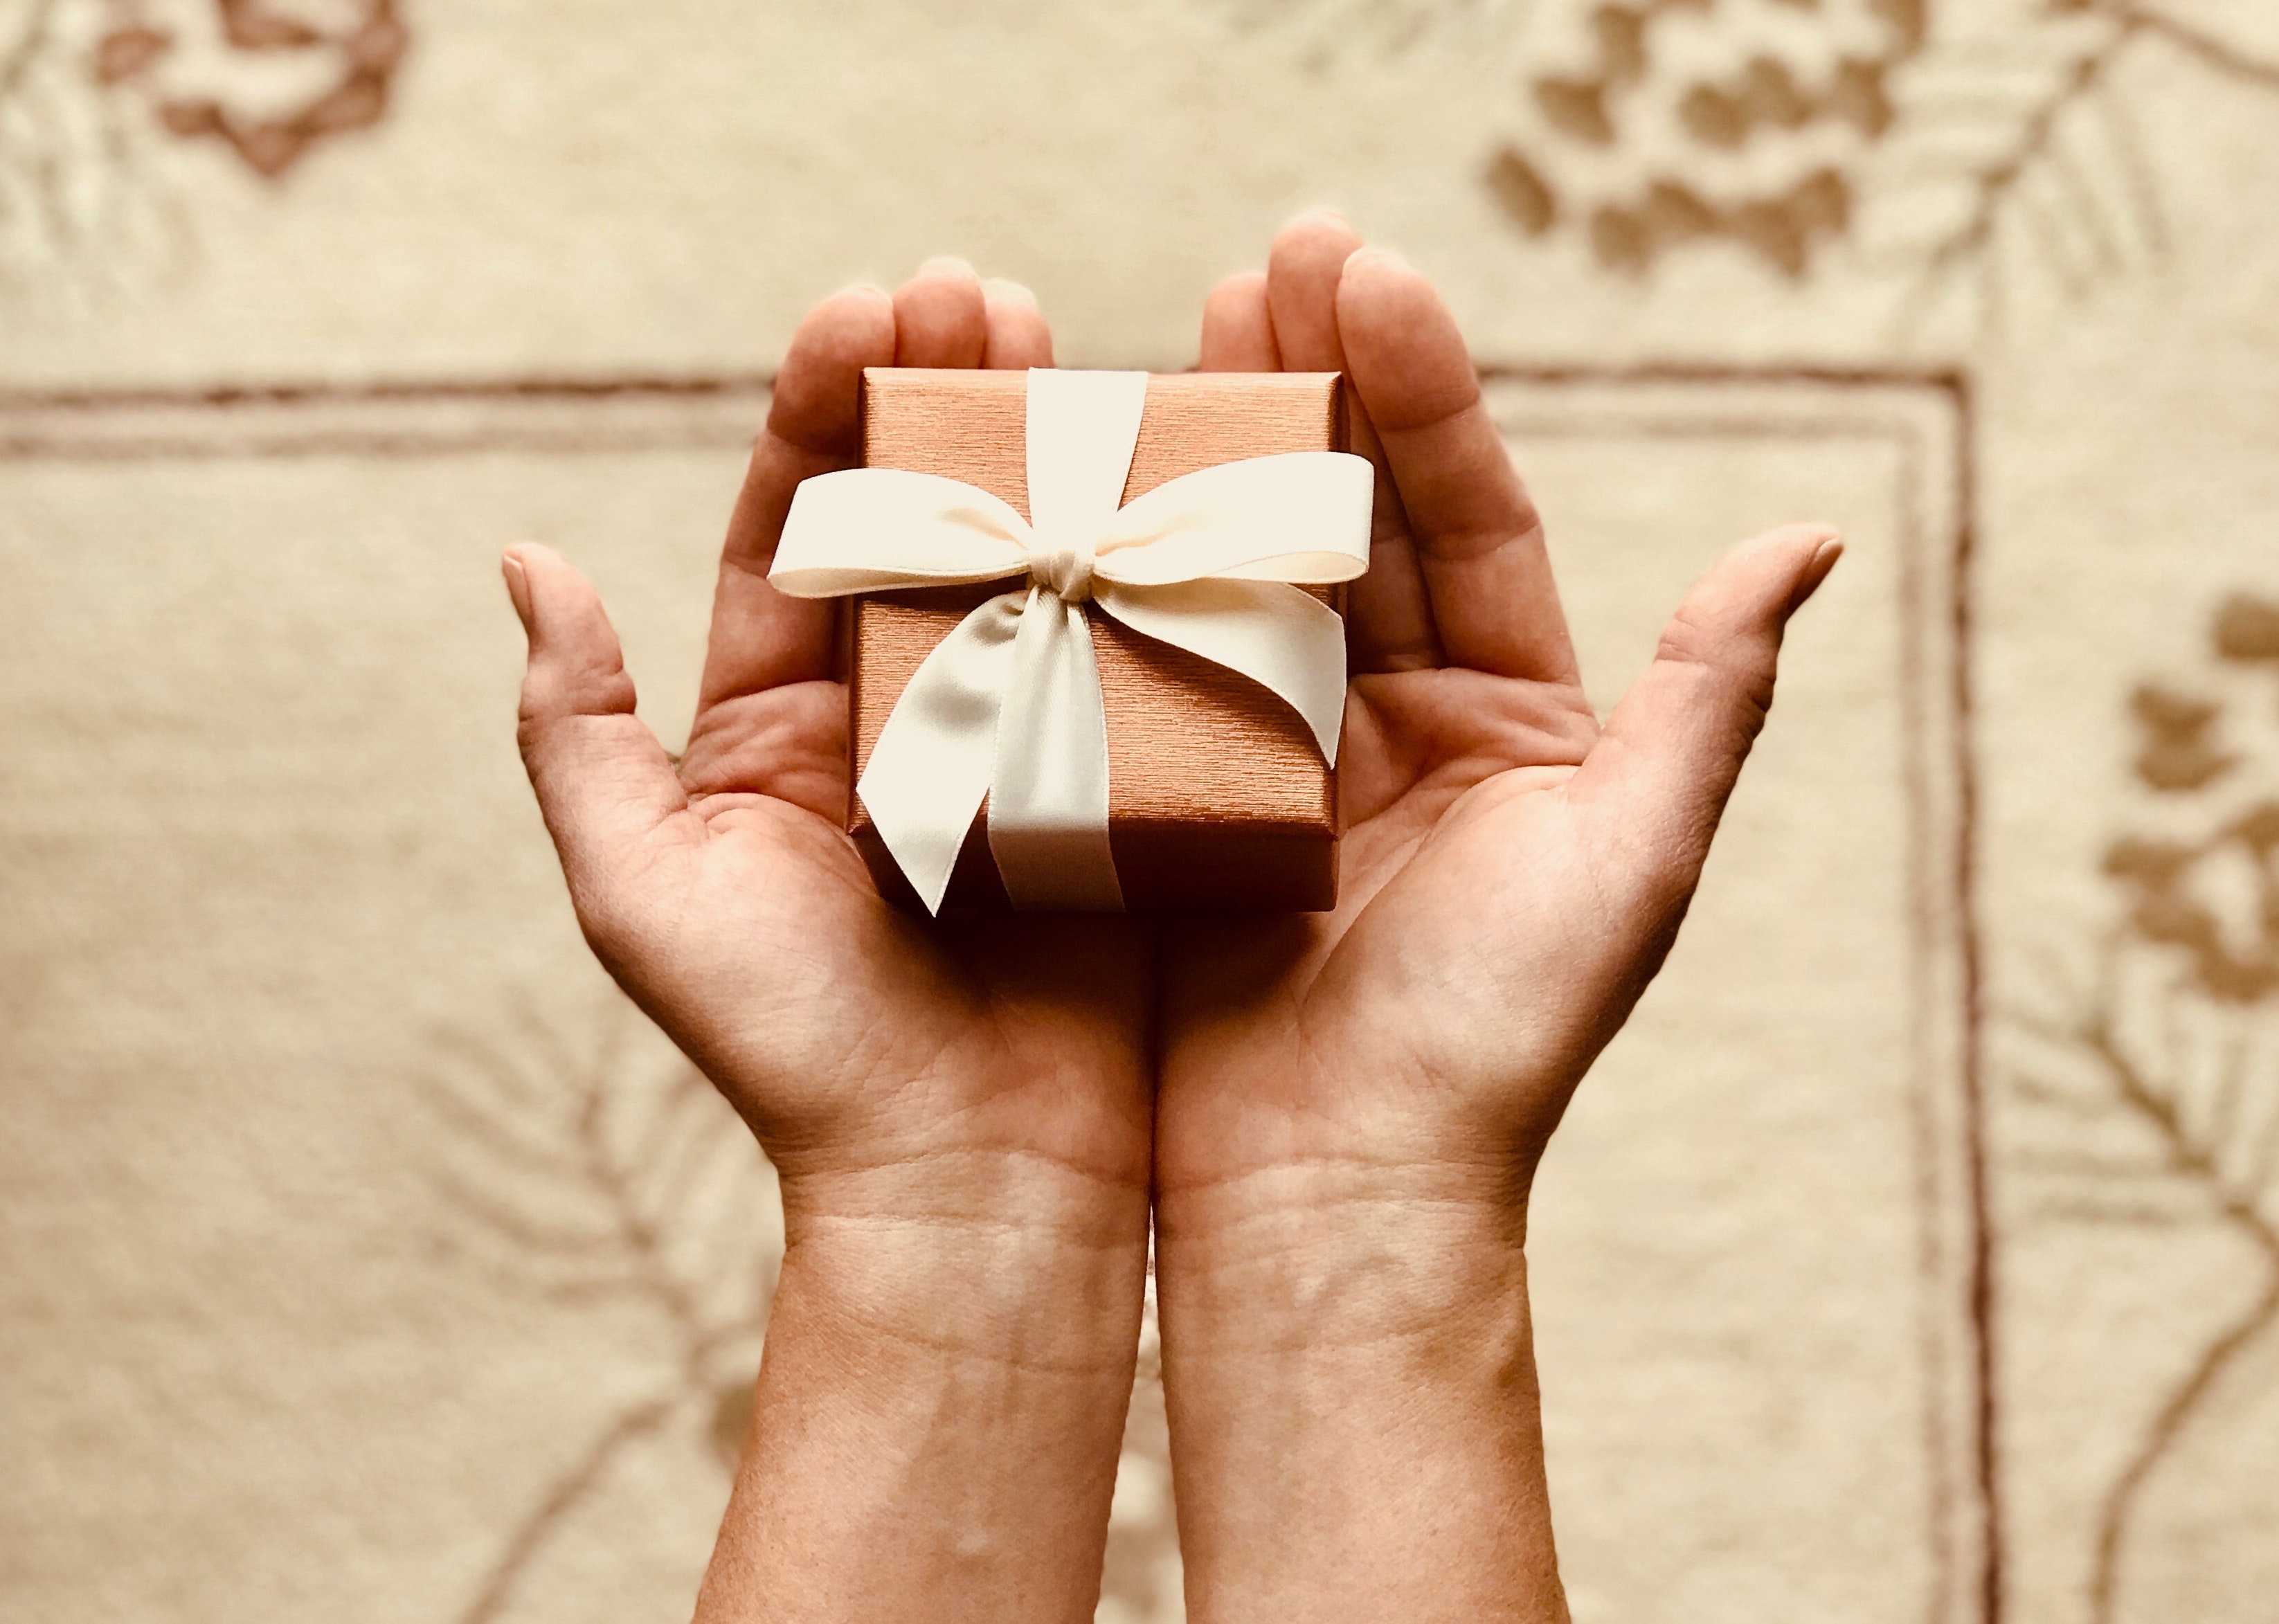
column 1950, row 147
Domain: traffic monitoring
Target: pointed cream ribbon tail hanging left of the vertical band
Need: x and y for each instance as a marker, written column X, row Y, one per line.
column 931, row 766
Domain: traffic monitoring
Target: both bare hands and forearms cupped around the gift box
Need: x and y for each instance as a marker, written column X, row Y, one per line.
column 1341, row 1113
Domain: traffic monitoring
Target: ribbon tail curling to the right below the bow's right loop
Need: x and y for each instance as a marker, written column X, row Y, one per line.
column 1275, row 634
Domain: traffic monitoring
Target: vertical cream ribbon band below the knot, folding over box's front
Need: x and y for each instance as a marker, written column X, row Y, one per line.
column 1049, row 789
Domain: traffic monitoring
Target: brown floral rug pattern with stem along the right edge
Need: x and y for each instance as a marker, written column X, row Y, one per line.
column 2150, row 1097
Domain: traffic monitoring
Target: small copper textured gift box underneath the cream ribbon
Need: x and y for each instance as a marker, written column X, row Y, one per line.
column 1218, row 794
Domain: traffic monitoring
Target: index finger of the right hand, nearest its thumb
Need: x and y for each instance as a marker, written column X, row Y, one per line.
column 1478, row 536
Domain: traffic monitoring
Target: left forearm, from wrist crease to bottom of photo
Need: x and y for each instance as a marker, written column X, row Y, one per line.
column 940, row 1402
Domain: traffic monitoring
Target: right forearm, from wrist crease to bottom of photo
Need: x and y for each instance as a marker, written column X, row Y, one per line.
column 1353, row 1395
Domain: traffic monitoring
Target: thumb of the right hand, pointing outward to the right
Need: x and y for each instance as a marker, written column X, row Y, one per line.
column 1674, row 746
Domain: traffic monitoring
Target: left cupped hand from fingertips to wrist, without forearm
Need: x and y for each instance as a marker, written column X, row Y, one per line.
column 721, row 892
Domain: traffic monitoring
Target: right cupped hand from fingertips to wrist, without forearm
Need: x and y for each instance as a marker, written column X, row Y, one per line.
column 1512, row 871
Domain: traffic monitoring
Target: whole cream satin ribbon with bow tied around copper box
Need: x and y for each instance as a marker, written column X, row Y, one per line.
column 1008, row 707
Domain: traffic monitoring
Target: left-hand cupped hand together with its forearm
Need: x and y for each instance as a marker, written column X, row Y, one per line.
column 961, row 1113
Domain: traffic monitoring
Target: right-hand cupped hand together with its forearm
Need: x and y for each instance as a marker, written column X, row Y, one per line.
column 1353, row 1106
